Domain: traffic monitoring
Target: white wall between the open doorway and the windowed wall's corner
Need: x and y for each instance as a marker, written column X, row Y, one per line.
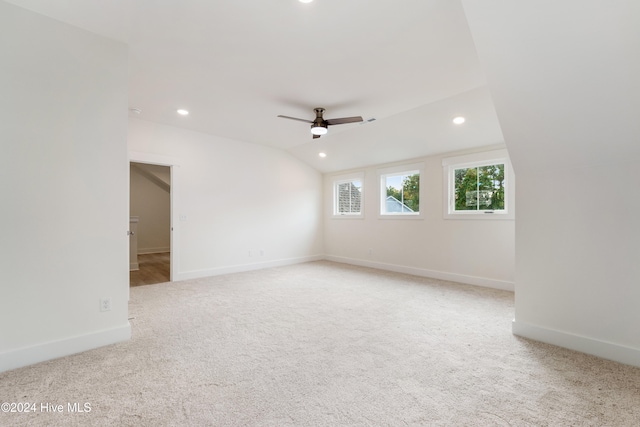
column 237, row 206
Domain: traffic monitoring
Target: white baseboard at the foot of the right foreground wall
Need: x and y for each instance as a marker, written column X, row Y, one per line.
column 594, row 347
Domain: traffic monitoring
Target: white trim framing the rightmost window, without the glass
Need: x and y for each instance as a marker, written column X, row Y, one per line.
column 485, row 158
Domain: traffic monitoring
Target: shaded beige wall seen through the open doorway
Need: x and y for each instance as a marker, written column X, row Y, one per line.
column 150, row 201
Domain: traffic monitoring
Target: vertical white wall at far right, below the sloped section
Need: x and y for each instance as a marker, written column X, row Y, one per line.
column 580, row 265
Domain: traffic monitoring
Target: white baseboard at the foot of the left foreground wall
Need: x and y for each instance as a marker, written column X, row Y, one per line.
column 25, row 356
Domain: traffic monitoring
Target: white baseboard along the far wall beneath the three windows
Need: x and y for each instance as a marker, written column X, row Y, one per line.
column 441, row 275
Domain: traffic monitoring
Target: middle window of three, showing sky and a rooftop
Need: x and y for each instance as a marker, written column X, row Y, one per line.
column 400, row 191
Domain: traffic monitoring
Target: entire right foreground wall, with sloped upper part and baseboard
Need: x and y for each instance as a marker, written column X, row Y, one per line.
column 567, row 97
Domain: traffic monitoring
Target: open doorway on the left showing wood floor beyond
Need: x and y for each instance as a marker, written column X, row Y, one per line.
column 150, row 219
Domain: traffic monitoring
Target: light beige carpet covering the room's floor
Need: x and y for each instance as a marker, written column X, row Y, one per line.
column 325, row 344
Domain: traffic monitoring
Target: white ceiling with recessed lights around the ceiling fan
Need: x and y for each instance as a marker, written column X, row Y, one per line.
column 236, row 65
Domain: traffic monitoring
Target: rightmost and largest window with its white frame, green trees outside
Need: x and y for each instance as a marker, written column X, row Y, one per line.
column 479, row 184
